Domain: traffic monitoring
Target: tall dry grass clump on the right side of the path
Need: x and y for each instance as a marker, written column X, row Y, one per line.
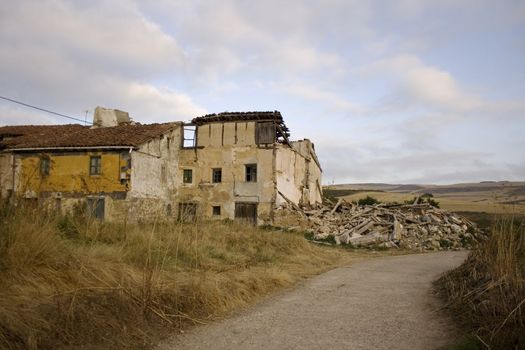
column 487, row 292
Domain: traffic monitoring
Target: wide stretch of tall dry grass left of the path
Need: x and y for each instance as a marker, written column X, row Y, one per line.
column 67, row 281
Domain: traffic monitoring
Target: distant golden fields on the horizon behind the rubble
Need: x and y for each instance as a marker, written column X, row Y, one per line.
column 489, row 197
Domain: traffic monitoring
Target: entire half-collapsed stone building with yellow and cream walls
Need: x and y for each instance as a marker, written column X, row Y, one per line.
column 227, row 165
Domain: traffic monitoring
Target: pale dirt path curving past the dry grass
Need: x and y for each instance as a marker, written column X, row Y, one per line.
column 383, row 303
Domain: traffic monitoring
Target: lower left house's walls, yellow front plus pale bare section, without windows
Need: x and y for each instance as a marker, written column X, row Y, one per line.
column 136, row 185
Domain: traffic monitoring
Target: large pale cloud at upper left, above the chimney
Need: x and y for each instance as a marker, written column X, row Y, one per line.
column 72, row 57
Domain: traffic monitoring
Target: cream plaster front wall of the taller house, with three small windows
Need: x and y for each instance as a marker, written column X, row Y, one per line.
column 229, row 146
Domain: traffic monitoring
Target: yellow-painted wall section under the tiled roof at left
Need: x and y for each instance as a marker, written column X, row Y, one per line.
column 69, row 173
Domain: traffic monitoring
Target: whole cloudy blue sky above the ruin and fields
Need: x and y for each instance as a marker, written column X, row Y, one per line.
column 429, row 91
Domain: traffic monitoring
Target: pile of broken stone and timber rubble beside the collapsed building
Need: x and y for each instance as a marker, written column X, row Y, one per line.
column 416, row 226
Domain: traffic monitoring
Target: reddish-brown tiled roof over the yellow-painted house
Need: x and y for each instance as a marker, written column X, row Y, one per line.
column 75, row 135
